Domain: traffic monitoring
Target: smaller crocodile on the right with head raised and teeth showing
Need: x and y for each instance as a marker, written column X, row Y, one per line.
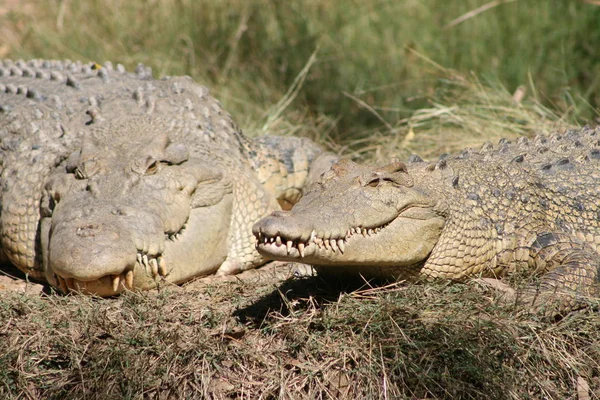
column 527, row 208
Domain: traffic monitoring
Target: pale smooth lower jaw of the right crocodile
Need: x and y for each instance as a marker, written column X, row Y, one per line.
column 401, row 242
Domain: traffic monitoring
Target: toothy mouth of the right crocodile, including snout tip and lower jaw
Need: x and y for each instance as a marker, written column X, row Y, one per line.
column 404, row 239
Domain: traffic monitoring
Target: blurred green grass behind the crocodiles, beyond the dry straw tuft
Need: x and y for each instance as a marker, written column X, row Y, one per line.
column 250, row 52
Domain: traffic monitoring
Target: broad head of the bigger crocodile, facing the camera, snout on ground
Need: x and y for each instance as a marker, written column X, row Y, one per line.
column 129, row 210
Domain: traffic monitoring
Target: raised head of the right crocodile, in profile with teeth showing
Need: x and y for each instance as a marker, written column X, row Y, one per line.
column 374, row 221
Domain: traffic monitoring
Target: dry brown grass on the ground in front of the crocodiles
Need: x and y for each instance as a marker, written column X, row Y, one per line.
column 304, row 338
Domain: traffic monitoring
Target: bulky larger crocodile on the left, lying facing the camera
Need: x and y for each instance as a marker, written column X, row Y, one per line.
column 113, row 180
